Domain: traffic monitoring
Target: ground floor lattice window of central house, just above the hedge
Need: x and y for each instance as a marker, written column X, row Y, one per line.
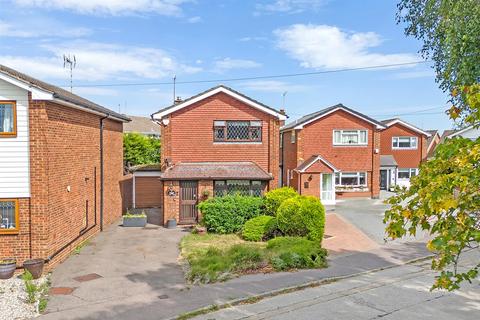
column 242, row 187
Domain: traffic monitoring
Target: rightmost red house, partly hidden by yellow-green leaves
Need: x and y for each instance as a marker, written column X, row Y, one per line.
column 403, row 147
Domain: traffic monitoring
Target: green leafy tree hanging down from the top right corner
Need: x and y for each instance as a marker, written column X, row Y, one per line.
column 450, row 32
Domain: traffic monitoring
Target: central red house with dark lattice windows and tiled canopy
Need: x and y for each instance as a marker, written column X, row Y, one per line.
column 217, row 142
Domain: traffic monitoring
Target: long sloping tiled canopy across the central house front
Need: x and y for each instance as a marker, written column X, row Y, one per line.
column 243, row 170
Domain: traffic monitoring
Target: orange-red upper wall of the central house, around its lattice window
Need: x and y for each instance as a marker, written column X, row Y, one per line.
column 189, row 135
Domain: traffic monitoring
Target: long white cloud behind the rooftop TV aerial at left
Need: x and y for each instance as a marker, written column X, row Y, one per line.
column 99, row 61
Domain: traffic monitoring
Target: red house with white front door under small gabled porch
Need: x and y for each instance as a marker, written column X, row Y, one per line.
column 332, row 153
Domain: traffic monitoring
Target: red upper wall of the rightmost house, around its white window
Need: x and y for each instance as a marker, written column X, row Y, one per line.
column 404, row 158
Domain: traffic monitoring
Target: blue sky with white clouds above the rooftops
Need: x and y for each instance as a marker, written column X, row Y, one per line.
column 128, row 52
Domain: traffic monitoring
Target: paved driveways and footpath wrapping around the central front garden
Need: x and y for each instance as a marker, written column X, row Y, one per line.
column 127, row 272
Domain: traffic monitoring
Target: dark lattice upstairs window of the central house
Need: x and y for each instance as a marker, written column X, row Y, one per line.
column 237, row 131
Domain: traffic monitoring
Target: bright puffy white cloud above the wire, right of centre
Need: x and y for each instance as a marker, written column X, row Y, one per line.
column 328, row 47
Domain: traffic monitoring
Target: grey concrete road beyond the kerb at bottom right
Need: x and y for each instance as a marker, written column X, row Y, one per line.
column 398, row 293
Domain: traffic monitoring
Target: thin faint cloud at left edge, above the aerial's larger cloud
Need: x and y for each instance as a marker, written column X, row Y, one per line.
column 35, row 28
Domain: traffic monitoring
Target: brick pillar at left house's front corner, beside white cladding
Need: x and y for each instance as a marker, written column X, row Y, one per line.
column 39, row 206
